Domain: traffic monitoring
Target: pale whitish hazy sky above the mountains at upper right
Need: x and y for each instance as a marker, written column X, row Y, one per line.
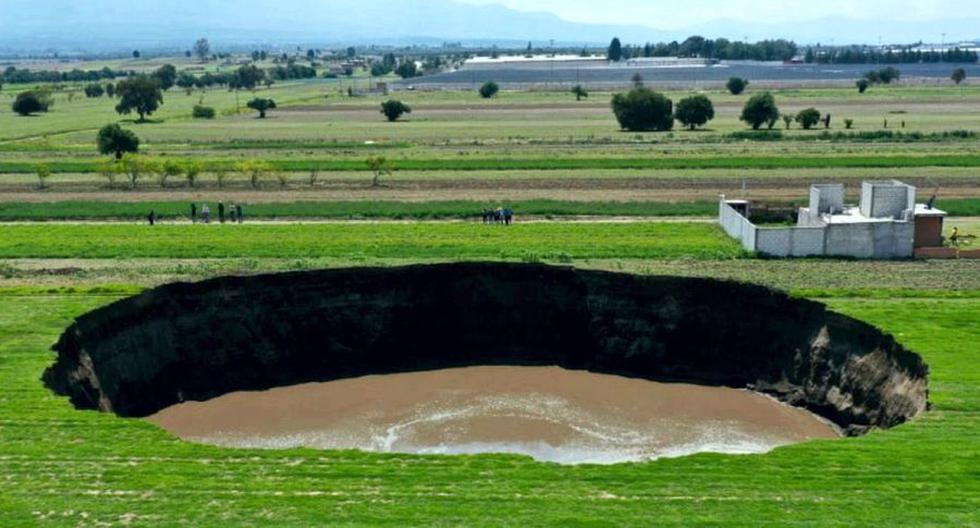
column 666, row 14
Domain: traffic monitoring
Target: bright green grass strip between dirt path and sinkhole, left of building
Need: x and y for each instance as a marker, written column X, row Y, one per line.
column 440, row 240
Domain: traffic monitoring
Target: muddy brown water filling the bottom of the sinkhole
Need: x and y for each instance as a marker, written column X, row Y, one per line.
column 548, row 413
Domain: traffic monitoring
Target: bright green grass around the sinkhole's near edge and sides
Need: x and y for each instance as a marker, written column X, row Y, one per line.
column 62, row 467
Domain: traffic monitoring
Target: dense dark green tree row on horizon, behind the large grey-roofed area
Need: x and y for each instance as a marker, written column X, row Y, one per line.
column 698, row 46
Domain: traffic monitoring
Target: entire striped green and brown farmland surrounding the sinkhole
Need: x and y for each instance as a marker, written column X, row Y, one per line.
column 585, row 195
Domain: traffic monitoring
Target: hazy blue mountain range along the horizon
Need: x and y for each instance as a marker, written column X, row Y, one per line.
column 104, row 25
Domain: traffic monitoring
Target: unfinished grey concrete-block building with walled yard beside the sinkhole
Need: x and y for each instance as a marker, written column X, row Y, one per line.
column 886, row 224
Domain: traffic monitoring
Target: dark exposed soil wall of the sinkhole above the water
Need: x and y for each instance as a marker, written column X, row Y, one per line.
column 197, row 341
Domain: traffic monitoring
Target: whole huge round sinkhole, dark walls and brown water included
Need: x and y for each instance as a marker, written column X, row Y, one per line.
column 560, row 364
